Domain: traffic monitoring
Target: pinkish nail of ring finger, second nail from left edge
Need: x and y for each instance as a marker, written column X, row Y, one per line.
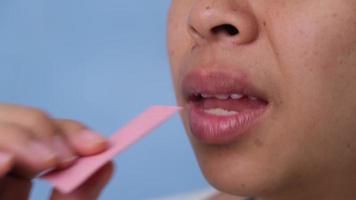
column 42, row 151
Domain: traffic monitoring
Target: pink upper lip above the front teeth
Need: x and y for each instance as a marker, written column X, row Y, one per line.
column 217, row 82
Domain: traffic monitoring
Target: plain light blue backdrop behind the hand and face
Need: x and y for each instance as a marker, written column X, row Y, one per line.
column 101, row 62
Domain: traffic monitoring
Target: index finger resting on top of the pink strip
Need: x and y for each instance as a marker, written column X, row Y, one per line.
column 83, row 141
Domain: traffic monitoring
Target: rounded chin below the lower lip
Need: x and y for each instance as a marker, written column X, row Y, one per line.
column 243, row 168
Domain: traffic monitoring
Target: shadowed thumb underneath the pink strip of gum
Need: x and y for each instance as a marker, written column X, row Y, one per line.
column 91, row 189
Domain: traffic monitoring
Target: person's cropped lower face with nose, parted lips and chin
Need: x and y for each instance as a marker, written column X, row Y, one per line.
column 269, row 92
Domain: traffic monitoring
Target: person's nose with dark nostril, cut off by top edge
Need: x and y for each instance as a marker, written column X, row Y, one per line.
column 229, row 21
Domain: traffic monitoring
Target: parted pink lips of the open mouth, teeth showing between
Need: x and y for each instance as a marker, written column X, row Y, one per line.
column 221, row 106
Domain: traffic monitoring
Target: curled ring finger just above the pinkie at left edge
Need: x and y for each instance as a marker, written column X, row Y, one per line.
column 30, row 155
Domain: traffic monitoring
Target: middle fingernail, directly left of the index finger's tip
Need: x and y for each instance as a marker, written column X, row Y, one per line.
column 66, row 155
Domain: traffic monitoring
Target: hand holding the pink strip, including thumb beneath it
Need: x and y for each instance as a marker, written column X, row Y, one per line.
column 32, row 142
